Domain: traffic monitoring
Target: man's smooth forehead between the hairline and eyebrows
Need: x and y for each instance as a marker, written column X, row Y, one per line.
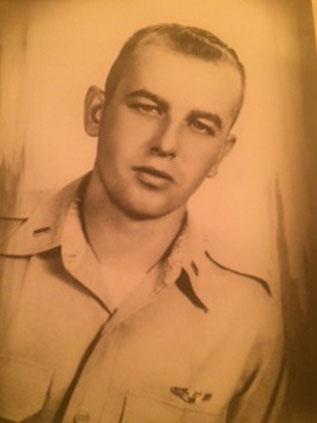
column 183, row 80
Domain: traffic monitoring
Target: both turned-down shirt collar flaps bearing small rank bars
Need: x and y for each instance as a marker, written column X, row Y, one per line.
column 51, row 221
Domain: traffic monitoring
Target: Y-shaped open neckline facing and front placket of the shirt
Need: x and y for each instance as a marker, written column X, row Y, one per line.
column 92, row 392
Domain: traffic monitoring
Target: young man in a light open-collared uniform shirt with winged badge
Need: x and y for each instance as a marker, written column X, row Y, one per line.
column 114, row 309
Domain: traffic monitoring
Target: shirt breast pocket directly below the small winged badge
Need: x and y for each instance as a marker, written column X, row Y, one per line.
column 146, row 409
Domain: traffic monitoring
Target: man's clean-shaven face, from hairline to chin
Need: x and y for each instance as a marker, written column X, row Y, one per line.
column 164, row 129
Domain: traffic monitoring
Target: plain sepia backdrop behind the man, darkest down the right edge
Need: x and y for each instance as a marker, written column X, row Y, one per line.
column 259, row 210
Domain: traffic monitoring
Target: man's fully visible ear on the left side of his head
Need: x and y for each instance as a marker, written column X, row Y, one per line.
column 94, row 102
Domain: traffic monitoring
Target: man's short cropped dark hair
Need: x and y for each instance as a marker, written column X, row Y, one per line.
column 185, row 39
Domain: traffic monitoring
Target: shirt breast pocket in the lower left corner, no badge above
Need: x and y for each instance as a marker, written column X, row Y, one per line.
column 23, row 388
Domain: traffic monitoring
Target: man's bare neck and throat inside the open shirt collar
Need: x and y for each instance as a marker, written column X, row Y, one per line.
column 120, row 240
